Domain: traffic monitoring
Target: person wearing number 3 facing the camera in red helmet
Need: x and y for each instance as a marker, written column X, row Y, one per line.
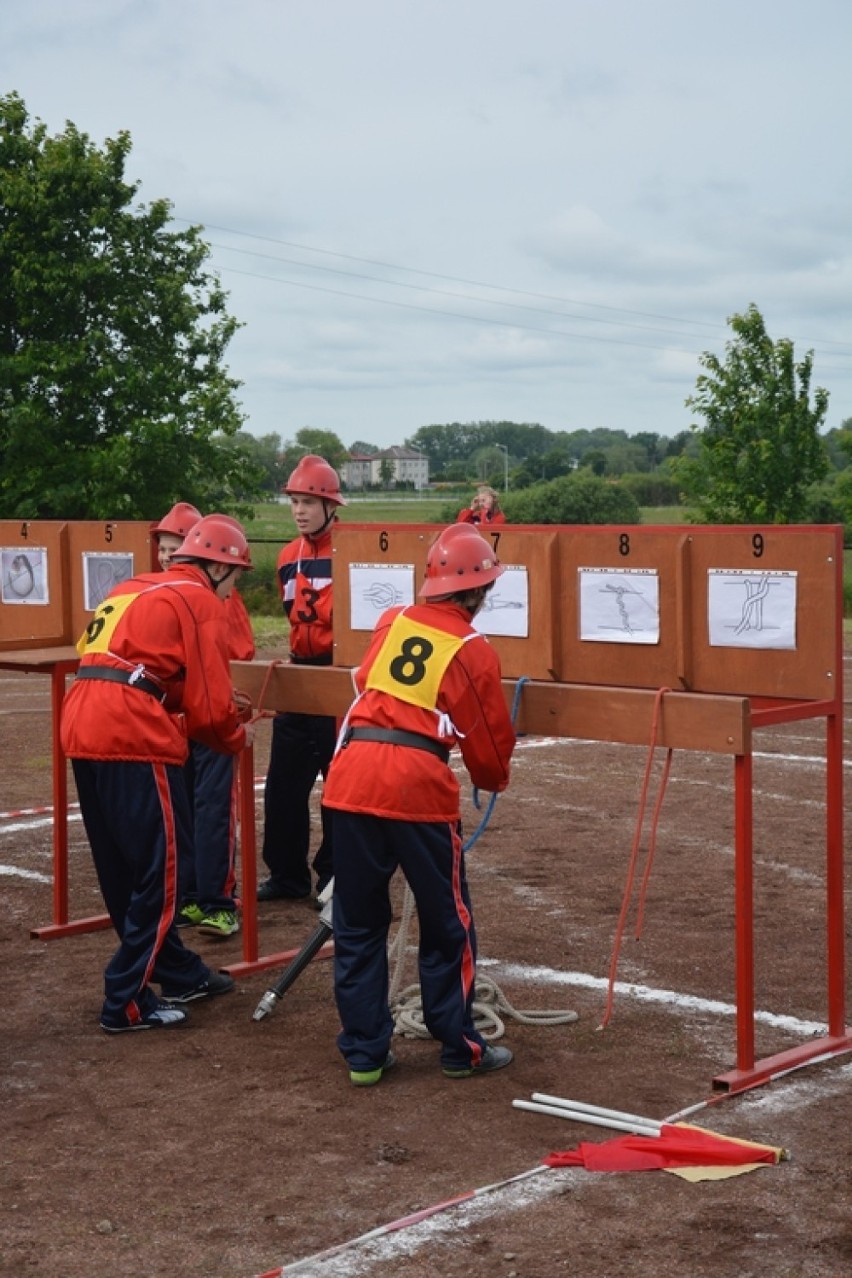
column 302, row 744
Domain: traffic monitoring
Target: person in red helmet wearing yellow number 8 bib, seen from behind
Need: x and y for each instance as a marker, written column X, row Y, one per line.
column 429, row 682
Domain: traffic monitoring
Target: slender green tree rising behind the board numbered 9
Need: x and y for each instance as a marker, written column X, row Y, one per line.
column 759, row 448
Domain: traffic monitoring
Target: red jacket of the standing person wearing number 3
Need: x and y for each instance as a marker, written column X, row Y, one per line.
column 305, row 573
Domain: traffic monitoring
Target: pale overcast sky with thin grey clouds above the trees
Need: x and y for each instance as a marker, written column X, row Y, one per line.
column 469, row 210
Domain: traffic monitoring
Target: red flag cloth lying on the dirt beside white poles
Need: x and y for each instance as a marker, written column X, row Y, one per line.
column 678, row 1146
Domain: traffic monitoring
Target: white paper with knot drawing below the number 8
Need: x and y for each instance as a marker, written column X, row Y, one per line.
column 619, row 605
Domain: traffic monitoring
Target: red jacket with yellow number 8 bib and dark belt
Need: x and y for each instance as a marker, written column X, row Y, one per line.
column 426, row 672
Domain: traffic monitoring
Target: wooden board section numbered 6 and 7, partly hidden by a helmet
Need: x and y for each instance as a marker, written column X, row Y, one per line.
column 528, row 551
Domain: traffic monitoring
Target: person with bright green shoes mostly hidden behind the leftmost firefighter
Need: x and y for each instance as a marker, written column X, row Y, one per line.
column 209, row 871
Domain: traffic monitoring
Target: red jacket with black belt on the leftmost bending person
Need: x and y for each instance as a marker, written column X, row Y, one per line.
column 172, row 626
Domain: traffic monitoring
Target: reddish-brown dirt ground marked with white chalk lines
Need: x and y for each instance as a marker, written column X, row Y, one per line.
column 234, row 1148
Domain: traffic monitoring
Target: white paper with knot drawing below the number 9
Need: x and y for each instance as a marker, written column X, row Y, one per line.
column 752, row 610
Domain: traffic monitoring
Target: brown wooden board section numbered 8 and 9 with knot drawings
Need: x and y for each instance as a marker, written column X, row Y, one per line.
column 689, row 652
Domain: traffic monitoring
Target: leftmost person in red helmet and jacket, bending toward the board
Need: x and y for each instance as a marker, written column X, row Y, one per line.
column 154, row 674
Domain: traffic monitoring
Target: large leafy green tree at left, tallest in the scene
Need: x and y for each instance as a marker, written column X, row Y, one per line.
column 114, row 399
